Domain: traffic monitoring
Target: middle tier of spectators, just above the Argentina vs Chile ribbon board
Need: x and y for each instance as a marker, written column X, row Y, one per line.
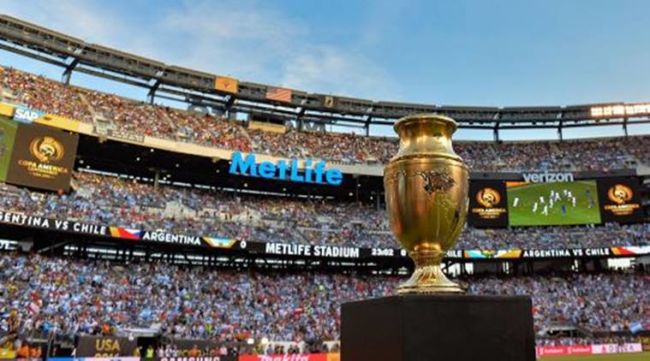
column 107, row 200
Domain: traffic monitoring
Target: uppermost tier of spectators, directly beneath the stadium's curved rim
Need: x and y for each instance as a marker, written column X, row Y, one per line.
column 138, row 118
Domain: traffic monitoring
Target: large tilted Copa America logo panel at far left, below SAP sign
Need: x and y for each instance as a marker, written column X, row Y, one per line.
column 42, row 158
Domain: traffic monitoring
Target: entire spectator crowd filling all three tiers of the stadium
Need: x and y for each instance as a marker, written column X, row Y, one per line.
column 74, row 296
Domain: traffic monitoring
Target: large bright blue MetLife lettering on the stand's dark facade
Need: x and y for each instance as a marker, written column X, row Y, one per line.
column 315, row 173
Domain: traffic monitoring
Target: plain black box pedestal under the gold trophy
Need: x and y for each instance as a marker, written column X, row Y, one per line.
column 438, row 327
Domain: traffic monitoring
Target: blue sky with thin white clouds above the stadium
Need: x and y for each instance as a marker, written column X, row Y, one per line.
column 495, row 53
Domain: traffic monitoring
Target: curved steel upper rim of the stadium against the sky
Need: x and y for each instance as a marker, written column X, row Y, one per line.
column 201, row 88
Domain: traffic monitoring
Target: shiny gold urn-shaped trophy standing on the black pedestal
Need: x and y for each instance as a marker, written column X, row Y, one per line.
column 426, row 197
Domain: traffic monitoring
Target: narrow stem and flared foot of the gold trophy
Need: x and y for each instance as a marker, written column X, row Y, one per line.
column 428, row 276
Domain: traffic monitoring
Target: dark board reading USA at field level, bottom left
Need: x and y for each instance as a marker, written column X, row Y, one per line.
column 105, row 346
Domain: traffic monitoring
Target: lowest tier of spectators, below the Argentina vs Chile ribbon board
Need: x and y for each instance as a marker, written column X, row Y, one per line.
column 73, row 296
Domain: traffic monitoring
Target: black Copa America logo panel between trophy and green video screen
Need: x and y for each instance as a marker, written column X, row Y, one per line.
column 487, row 204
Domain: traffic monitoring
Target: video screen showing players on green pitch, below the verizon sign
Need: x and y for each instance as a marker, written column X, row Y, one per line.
column 530, row 204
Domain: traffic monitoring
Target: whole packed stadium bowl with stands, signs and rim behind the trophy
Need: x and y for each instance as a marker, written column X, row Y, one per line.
column 133, row 229
